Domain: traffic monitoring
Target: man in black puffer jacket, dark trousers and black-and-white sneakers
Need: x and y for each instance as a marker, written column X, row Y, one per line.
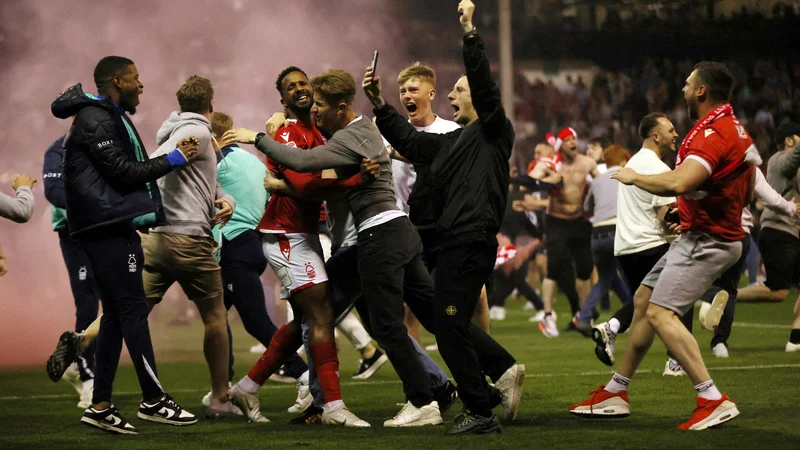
column 110, row 190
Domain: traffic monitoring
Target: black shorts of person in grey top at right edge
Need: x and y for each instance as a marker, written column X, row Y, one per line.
column 779, row 250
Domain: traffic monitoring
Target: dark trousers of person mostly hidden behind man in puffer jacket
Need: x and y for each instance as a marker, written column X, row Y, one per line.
column 84, row 293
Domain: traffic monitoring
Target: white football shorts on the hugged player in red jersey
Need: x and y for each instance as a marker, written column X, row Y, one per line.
column 296, row 259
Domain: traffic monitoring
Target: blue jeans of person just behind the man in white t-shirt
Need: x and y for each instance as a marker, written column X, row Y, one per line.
column 609, row 275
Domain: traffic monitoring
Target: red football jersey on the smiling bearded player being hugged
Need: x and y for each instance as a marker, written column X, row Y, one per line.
column 286, row 214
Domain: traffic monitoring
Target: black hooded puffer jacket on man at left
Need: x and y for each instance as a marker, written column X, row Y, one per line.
column 108, row 178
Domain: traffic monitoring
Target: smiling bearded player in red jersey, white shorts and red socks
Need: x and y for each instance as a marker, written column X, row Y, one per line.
column 291, row 244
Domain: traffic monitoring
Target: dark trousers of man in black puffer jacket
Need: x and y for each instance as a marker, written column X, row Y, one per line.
column 116, row 255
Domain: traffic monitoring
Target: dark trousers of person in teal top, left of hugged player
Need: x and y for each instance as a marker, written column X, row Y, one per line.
column 242, row 262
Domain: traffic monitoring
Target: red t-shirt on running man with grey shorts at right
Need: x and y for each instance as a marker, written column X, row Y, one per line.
column 716, row 207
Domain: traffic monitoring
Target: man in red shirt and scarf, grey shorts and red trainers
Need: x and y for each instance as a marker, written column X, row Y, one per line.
column 713, row 183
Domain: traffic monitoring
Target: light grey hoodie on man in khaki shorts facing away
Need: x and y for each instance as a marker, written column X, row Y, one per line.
column 188, row 194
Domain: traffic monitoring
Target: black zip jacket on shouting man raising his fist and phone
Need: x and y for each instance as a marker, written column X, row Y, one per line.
column 469, row 166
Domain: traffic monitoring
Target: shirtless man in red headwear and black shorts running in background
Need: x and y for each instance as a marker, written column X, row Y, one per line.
column 568, row 236
